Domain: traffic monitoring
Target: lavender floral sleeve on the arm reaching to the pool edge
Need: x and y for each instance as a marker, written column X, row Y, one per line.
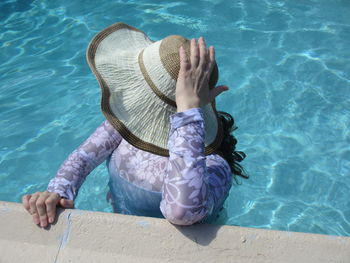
column 83, row 160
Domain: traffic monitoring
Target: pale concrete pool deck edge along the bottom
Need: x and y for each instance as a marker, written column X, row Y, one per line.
column 83, row 236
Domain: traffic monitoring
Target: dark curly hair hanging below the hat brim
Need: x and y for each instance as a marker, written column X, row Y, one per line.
column 227, row 148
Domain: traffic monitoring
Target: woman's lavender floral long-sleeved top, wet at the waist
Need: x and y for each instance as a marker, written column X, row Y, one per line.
column 190, row 185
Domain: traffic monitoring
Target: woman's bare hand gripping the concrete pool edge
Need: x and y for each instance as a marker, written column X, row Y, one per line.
column 42, row 206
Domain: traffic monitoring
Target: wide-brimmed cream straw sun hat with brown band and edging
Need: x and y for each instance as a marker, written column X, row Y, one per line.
column 138, row 77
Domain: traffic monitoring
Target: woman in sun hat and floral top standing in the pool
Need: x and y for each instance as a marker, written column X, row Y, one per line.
column 169, row 152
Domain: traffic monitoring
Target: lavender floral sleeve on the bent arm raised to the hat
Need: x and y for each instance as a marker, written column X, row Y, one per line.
column 194, row 185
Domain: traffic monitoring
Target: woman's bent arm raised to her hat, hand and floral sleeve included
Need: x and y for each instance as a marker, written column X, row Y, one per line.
column 192, row 190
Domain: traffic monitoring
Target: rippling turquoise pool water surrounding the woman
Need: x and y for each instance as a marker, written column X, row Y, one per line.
column 286, row 62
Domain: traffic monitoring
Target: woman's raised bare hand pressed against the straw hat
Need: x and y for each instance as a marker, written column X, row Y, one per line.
column 192, row 87
